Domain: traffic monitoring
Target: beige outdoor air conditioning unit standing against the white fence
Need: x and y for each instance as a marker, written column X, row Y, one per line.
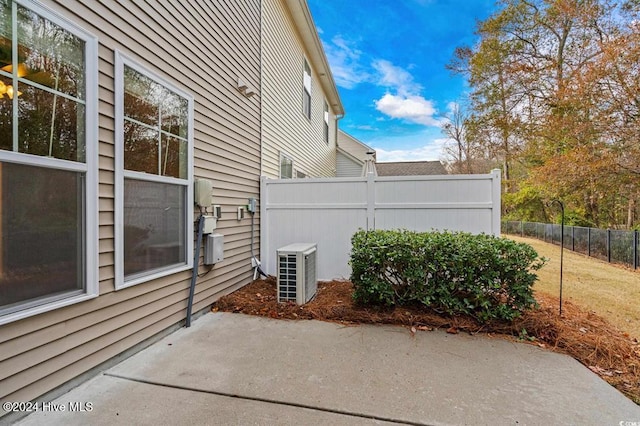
column 297, row 276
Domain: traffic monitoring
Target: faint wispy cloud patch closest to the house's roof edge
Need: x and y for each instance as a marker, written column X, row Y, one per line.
column 344, row 59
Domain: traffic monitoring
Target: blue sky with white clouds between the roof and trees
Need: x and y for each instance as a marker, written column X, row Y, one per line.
column 388, row 59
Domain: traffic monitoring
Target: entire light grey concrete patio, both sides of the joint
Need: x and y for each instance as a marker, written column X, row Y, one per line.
column 236, row 369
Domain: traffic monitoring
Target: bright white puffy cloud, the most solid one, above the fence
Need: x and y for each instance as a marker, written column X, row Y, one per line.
column 412, row 108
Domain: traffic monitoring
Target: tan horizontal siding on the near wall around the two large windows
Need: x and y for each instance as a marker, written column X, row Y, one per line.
column 201, row 47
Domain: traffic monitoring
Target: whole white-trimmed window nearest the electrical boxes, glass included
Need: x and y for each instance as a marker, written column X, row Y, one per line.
column 154, row 182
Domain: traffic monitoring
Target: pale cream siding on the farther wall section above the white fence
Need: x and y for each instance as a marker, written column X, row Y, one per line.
column 285, row 128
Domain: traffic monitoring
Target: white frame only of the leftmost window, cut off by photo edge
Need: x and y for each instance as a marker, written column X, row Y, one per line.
column 89, row 168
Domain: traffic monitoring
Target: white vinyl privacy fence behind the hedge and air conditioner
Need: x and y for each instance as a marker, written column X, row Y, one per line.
column 328, row 211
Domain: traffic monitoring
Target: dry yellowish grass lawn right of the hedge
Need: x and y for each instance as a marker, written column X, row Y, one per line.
column 612, row 292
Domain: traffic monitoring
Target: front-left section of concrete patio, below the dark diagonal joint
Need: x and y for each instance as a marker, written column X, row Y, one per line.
column 118, row 401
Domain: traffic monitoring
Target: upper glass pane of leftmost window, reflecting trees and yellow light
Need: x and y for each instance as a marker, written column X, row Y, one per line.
column 46, row 84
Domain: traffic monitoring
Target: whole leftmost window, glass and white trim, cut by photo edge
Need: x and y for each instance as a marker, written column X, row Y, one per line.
column 48, row 161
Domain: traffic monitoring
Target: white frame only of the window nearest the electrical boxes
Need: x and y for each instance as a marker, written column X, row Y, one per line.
column 120, row 174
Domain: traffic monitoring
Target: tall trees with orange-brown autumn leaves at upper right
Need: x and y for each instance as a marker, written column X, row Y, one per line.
column 555, row 99
